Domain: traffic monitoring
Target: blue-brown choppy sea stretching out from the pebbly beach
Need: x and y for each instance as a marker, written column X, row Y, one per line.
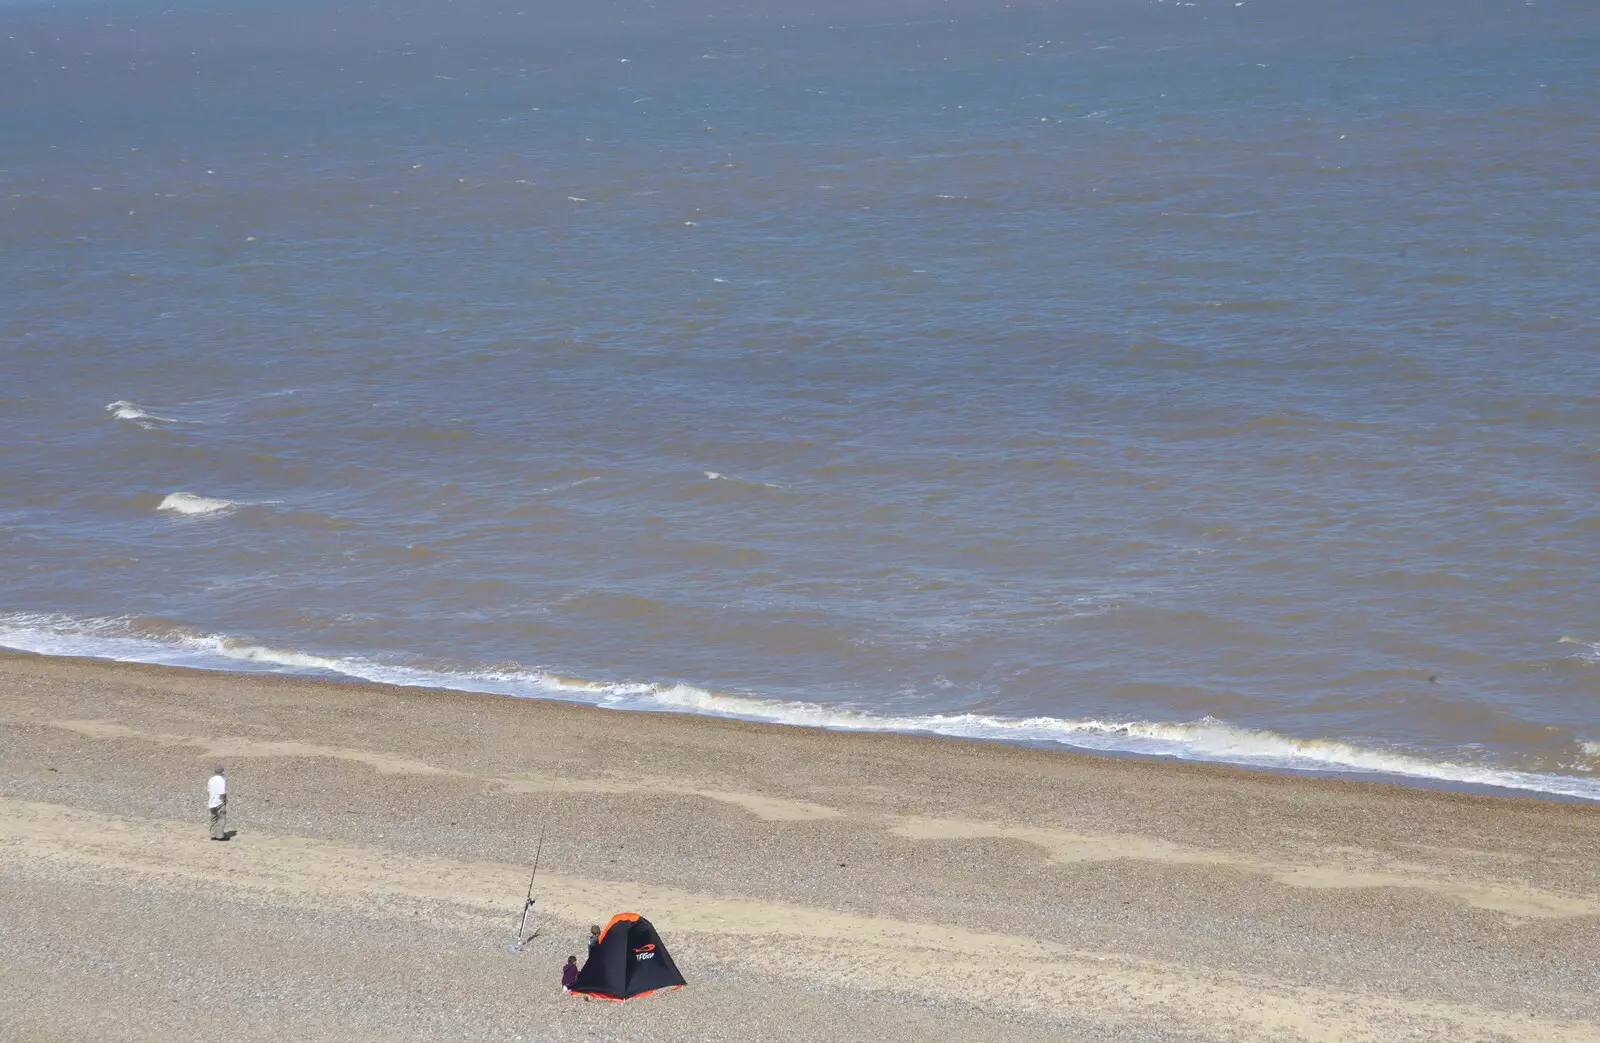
column 1198, row 380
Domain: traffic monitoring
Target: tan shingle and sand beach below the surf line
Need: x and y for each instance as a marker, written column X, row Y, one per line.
column 812, row 885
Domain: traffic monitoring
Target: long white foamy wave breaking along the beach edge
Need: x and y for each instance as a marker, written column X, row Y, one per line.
column 1209, row 740
